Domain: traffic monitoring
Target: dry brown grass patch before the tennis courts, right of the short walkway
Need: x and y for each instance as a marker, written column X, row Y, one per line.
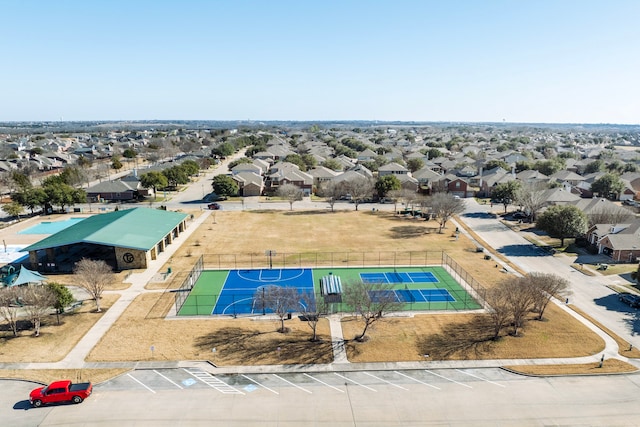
column 463, row 336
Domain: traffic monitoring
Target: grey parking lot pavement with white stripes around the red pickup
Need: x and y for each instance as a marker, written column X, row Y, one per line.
column 452, row 397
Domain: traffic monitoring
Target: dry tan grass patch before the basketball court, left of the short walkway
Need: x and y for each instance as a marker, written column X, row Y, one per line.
column 236, row 341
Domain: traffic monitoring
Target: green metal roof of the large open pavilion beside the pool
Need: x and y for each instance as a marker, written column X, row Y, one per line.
column 139, row 228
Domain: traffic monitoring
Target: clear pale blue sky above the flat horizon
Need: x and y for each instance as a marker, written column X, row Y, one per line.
column 519, row 61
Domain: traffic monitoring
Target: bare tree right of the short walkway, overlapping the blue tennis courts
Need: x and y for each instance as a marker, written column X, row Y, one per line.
column 370, row 301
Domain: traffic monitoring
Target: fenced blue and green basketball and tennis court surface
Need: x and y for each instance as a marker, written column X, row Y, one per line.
column 238, row 292
